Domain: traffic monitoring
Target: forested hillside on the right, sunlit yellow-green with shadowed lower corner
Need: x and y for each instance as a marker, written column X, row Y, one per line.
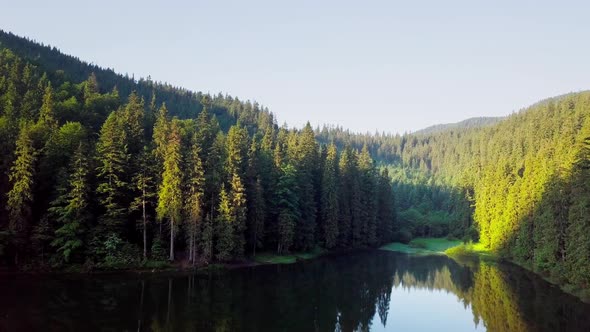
column 526, row 180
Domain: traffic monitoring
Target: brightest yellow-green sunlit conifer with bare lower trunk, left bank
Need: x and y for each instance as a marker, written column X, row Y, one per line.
column 170, row 193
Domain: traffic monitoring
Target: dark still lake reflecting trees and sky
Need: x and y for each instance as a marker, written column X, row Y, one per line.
column 365, row 291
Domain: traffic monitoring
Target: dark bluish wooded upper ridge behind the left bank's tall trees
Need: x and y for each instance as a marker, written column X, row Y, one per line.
column 181, row 102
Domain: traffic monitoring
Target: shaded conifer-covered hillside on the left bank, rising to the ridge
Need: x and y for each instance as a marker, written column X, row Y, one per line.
column 97, row 176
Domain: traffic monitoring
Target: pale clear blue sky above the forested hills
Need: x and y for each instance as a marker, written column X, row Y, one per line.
column 389, row 65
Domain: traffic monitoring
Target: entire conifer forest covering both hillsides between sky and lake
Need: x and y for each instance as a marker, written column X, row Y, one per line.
column 99, row 168
